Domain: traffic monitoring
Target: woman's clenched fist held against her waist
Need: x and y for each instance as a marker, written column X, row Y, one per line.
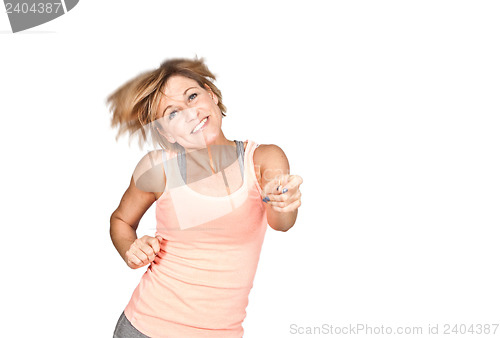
column 143, row 251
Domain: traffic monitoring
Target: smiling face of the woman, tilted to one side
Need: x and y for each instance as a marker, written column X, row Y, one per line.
column 188, row 114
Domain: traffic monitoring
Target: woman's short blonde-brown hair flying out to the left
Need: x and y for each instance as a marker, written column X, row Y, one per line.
column 134, row 105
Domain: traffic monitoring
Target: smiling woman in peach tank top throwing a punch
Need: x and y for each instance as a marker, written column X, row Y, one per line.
column 214, row 199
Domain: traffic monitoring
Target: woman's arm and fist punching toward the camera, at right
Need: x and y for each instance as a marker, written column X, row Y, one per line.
column 280, row 190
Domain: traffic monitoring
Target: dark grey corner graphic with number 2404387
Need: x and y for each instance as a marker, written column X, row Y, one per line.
column 26, row 14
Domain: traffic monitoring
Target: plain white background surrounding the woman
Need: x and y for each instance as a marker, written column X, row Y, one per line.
column 389, row 110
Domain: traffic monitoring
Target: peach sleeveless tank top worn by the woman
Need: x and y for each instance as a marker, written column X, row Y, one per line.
column 198, row 284
